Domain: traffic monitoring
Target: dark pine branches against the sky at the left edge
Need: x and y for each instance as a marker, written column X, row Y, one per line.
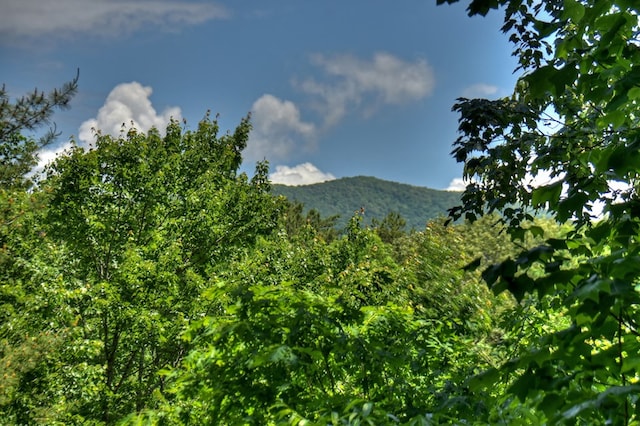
column 18, row 152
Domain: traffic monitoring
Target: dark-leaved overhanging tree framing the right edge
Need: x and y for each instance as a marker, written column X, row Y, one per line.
column 574, row 116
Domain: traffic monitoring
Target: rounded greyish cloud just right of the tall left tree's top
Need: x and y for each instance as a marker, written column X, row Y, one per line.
column 278, row 129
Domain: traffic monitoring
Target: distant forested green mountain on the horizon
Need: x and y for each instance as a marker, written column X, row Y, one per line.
column 378, row 197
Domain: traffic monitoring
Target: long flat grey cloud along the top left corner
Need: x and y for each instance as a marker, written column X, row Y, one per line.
column 35, row 19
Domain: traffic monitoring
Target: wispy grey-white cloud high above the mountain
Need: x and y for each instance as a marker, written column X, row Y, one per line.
column 353, row 82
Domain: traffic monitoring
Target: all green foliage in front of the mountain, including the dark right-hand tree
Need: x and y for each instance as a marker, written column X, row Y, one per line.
column 147, row 281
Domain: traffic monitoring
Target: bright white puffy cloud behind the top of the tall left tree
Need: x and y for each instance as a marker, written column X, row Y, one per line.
column 127, row 103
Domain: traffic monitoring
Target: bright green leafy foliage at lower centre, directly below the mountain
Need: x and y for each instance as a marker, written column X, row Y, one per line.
column 310, row 331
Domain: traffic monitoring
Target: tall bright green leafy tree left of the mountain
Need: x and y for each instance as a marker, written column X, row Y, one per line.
column 143, row 222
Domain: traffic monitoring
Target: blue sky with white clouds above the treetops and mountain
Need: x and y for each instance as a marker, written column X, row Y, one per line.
column 334, row 88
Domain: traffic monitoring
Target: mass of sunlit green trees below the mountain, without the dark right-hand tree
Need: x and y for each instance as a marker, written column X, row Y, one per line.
column 146, row 280
